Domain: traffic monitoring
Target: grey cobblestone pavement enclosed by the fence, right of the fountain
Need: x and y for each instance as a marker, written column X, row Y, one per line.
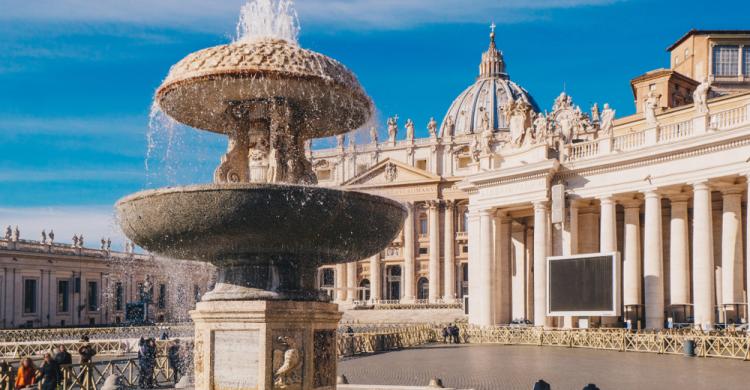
column 497, row 367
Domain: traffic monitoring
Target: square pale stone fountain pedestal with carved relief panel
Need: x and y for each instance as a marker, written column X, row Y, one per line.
column 244, row 345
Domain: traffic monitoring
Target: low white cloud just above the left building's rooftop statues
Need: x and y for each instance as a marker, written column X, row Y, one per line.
column 94, row 222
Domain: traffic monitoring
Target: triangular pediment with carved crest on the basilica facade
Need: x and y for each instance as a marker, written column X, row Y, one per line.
column 392, row 173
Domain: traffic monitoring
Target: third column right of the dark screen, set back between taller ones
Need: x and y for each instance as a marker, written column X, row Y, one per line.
column 679, row 252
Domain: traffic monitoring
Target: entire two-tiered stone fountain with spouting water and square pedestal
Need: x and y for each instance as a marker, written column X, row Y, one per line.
column 263, row 223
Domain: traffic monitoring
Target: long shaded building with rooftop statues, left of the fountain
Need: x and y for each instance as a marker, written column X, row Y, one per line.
column 50, row 284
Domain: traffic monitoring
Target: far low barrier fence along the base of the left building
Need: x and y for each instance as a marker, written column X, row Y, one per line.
column 71, row 334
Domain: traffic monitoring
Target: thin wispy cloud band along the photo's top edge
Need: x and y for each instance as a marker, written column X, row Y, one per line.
column 351, row 14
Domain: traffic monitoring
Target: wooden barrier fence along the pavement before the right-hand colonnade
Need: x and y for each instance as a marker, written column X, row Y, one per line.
column 723, row 345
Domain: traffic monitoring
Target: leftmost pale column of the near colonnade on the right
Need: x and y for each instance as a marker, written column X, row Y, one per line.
column 486, row 266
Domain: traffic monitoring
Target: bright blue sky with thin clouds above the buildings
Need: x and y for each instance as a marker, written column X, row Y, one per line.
column 77, row 77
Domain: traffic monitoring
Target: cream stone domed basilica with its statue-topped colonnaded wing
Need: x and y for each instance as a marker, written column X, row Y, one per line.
column 500, row 184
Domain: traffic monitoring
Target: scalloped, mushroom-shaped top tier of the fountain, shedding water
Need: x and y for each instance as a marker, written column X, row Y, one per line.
column 200, row 89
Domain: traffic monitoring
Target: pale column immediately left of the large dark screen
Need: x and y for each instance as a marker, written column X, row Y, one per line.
column 541, row 227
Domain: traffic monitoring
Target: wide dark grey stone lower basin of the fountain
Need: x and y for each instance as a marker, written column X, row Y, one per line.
column 249, row 222
